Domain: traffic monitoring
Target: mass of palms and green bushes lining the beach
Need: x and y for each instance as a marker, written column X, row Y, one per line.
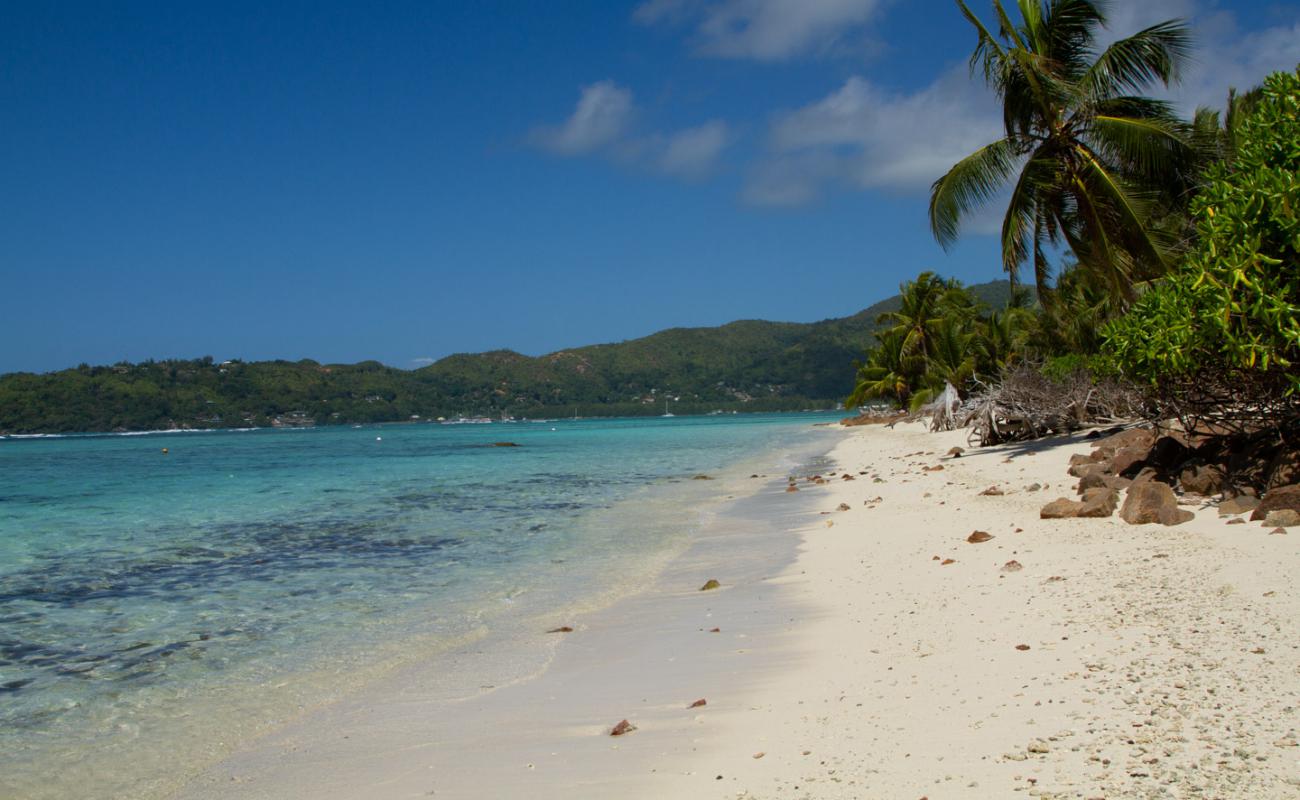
column 1178, row 240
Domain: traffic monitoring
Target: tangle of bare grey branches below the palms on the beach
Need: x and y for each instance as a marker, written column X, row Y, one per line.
column 1026, row 404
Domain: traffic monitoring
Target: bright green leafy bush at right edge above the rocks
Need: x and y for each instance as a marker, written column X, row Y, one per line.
column 1234, row 306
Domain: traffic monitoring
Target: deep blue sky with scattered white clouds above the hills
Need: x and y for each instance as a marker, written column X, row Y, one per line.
column 402, row 181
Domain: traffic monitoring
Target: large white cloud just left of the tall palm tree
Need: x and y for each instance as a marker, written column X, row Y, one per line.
column 865, row 137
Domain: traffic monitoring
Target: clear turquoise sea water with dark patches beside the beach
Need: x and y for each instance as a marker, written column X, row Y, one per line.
column 158, row 609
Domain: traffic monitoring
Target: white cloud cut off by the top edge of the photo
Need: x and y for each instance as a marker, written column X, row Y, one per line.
column 766, row 31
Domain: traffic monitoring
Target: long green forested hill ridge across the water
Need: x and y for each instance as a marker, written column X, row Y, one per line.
column 748, row 365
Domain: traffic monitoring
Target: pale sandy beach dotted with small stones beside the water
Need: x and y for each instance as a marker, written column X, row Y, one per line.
column 850, row 663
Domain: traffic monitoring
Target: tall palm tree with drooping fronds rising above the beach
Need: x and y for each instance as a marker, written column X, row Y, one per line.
column 1093, row 159
